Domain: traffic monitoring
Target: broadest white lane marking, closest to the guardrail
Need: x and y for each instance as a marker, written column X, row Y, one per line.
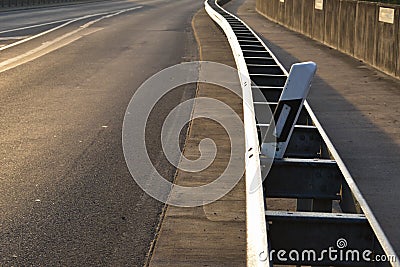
column 55, row 44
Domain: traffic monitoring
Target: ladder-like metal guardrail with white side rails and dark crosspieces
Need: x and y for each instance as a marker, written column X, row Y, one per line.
column 330, row 210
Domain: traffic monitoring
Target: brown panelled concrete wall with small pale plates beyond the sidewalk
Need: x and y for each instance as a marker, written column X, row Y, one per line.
column 366, row 30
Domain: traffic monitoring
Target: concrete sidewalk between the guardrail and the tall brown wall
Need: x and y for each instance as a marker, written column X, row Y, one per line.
column 358, row 106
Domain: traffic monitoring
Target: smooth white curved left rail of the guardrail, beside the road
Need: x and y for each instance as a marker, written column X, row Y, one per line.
column 257, row 243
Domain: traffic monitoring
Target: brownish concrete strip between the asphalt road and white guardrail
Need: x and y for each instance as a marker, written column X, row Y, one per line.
column 215, row 234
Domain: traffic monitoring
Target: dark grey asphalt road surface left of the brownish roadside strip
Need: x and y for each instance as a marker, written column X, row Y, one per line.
column 67, row 197
